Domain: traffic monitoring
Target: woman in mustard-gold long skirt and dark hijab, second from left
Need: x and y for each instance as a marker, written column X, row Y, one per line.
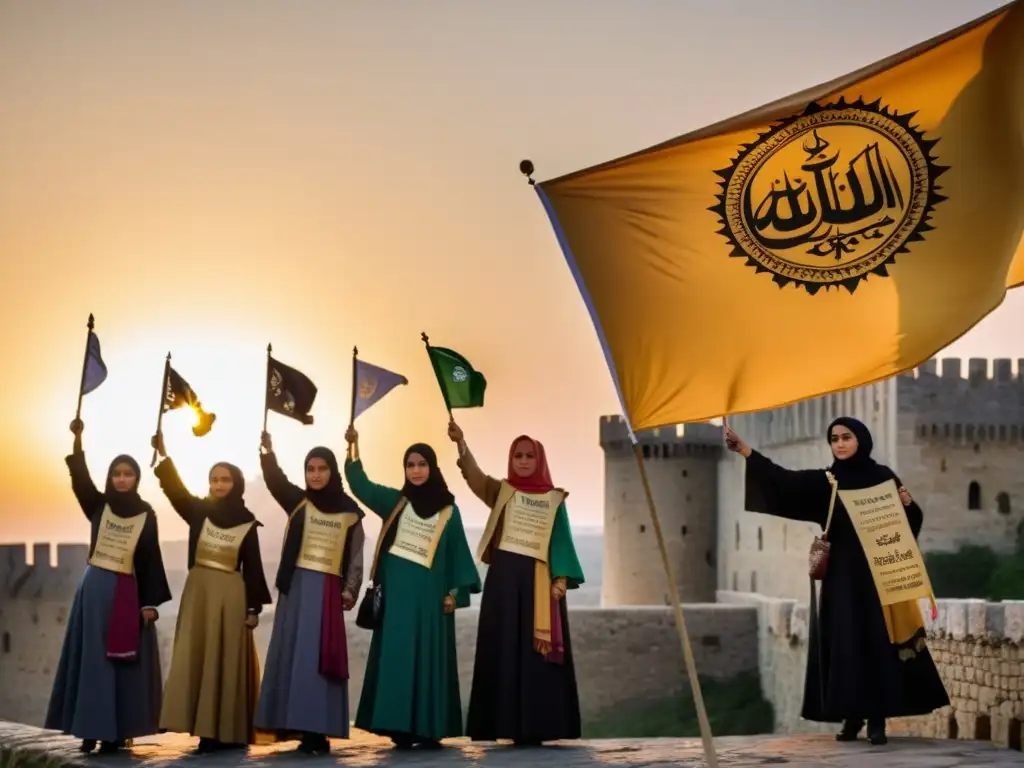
column 215, row 679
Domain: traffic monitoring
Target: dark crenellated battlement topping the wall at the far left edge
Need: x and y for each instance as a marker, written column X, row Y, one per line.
column 44, row 581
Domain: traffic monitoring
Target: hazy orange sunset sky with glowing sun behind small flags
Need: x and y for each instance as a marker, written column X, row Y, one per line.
column 210, row 177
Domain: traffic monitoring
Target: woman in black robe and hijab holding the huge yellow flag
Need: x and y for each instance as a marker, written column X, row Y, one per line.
column 864, row 662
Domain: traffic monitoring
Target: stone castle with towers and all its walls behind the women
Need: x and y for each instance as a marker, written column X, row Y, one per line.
column 957, row 442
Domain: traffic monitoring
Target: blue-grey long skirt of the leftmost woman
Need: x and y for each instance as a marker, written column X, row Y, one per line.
column 96, row 698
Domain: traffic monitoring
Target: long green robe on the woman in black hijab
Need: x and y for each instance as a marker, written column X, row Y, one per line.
column 411, row 686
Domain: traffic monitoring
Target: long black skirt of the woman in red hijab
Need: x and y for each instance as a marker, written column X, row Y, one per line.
column 517, row 694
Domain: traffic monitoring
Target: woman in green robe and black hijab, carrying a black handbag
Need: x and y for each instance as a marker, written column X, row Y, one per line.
column 425, row 571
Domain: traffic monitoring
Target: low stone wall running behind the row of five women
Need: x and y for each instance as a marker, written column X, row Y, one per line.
column 625, row 656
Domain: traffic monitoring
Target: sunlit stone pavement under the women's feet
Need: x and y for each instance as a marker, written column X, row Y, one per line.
column 365, row 750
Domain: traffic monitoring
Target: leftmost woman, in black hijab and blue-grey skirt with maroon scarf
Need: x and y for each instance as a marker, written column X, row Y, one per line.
column 108, row 687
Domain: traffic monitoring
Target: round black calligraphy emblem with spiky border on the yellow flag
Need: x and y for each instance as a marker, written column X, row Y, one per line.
column 831, row 196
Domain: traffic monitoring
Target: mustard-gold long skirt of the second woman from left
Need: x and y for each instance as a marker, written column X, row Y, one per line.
column 215, row 679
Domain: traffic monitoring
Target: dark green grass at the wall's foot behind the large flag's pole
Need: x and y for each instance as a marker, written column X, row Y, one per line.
column 736, row 708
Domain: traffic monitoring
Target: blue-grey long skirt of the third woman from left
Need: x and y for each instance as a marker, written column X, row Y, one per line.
column 295, row 698
